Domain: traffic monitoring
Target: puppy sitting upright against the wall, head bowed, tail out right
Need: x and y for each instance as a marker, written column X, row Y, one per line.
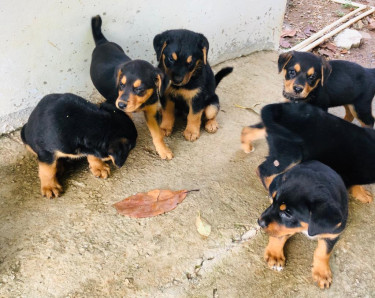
column 182, row 55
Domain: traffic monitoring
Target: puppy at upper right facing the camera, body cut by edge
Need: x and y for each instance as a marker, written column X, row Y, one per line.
column 312, row 79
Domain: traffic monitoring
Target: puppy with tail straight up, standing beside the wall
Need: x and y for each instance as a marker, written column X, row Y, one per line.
column 133, row 85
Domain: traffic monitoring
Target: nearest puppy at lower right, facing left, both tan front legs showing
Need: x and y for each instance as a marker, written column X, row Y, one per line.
column 310, row 198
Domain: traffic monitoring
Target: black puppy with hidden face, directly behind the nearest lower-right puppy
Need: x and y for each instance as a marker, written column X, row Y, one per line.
column 302, row 132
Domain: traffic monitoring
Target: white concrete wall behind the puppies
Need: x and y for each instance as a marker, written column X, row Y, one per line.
column 46, row 45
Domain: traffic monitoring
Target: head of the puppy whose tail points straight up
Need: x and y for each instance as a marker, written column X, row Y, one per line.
column 138, row 84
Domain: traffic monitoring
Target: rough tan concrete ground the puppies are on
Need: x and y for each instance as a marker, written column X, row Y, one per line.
column 78, row 246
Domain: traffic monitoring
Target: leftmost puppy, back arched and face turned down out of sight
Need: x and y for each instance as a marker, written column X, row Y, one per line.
column 66, row 125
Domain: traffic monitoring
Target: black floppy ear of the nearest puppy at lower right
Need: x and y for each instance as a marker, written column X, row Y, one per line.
column 324, row 218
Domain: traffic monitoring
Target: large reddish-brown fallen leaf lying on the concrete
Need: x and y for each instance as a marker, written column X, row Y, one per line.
column 152, row 203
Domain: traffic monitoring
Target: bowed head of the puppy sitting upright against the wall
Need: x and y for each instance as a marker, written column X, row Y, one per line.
column 181, row 54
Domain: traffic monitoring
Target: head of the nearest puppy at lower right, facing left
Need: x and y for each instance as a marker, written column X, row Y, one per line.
column 302, row 201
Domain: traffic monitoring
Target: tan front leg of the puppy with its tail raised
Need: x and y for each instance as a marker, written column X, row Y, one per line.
column 156, row 132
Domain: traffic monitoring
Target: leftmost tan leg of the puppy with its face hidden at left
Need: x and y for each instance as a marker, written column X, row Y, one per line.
column 49, row 185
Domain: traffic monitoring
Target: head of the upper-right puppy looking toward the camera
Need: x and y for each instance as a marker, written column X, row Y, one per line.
column 303, row 72
